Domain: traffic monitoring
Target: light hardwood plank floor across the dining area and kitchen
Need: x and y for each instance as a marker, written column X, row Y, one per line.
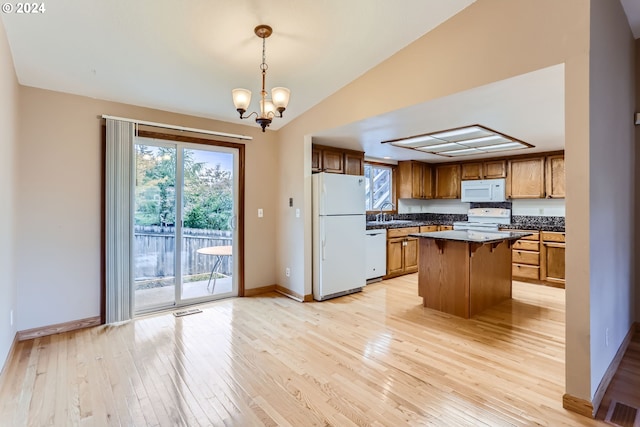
column 375, row 358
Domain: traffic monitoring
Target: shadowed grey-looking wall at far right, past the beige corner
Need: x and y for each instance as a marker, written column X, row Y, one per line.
column 611, row 174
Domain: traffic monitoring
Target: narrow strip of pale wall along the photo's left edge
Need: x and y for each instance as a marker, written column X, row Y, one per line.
column 8, row 146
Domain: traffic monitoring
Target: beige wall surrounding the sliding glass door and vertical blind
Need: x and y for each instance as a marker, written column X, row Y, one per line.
column 58, row 202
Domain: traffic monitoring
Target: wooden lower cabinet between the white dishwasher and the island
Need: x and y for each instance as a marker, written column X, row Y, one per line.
column 402, row 251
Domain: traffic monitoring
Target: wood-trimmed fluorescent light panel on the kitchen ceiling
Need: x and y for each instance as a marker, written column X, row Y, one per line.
column 462, row 141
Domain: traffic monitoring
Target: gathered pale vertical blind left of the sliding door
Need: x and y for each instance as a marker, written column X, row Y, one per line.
column 119, row 220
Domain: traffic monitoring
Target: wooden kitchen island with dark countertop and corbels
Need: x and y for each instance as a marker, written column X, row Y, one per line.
column 465, row 272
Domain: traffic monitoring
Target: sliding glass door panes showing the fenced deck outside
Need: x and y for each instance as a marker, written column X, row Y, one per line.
column 184, row 238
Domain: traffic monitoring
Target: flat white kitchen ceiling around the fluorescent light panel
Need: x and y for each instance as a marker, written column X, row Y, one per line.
column 529, row 107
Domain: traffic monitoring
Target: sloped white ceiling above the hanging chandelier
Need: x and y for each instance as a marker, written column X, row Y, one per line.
column 187, row 56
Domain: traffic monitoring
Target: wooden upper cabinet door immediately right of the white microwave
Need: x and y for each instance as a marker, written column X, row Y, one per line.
column 525, row 178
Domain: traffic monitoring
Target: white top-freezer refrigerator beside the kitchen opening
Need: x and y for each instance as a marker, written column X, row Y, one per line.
column 339, row 224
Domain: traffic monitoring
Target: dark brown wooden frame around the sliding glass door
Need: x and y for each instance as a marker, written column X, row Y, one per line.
column 174, row 138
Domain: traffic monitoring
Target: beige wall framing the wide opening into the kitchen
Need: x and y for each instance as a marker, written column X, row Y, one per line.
column 489, row 41
